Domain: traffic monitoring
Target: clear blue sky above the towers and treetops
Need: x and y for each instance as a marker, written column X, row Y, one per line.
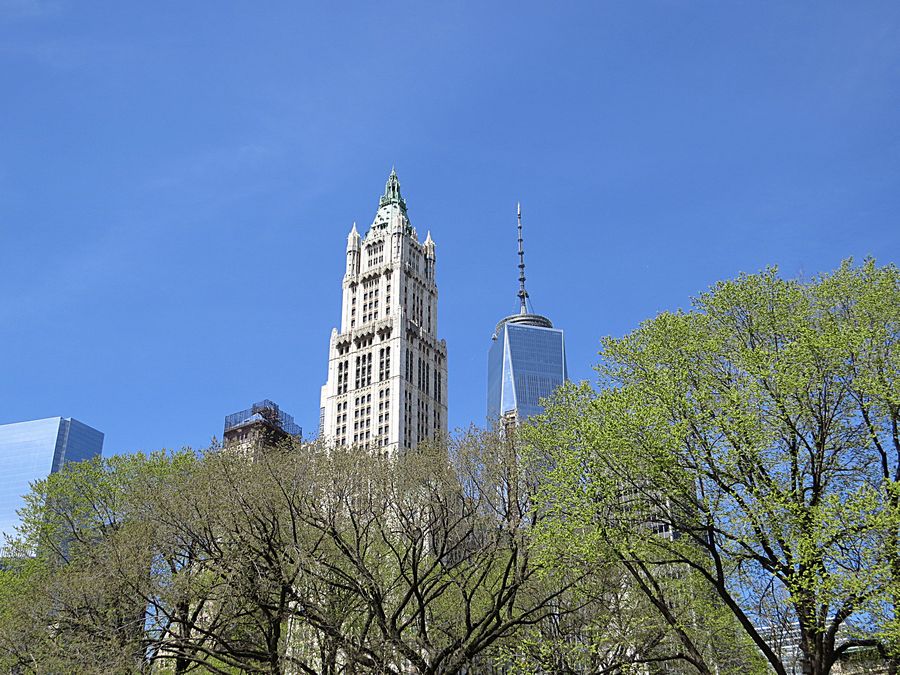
column 177, row 180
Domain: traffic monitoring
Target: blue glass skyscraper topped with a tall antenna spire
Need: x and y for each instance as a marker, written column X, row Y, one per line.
column 527, row 358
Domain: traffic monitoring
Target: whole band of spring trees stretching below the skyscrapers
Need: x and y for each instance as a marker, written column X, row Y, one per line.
column 725, row 500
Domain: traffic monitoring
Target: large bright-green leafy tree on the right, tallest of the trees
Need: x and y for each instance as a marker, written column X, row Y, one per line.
column 750, row 444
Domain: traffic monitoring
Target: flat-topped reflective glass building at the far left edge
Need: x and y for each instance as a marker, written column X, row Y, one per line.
column 30, row 451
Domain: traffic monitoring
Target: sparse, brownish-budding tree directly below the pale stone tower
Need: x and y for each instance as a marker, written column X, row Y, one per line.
column 429, row 551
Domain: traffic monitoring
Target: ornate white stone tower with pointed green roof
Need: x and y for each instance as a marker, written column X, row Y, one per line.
column 387, row 369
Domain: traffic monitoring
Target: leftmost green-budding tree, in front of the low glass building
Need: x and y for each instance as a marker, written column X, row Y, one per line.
column 83, row 577
